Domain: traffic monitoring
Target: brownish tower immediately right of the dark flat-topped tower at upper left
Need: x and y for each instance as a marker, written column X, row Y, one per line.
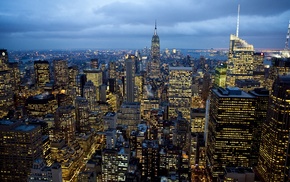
column 61, row 74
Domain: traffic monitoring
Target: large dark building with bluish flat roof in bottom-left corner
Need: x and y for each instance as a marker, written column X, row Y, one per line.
column 20, row 145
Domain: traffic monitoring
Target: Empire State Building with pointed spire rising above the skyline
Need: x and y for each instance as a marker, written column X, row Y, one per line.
column 154, row 69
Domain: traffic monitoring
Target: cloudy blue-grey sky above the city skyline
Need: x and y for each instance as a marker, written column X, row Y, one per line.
column 69, row 24
